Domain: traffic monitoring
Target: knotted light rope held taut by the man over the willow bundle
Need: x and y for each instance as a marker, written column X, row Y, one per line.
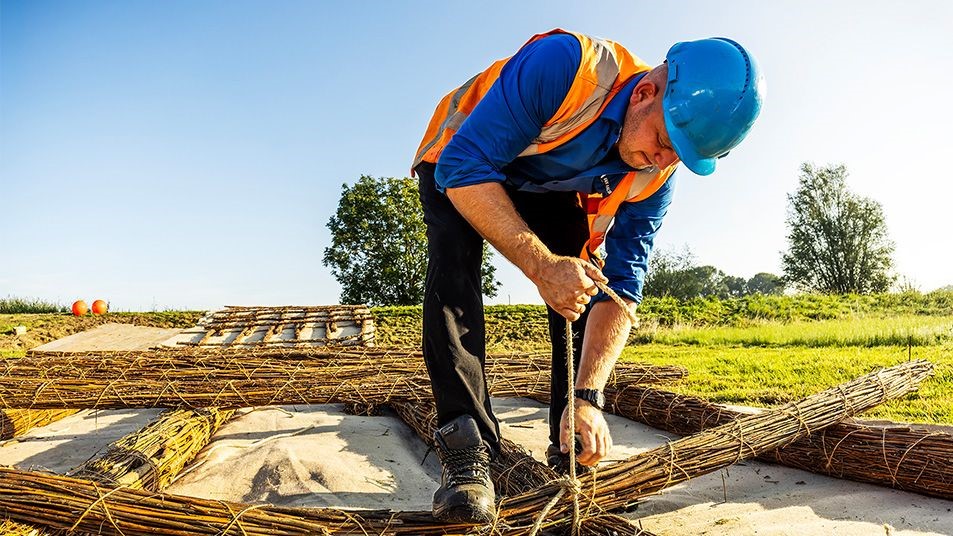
column 571, row 482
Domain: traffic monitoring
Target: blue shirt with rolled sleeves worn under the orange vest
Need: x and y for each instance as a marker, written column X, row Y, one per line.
column 531, row 87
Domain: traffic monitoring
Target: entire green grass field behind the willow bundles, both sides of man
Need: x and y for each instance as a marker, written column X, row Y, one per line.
column 735, row 351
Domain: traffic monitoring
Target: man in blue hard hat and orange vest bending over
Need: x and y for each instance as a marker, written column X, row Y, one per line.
column 562, row 158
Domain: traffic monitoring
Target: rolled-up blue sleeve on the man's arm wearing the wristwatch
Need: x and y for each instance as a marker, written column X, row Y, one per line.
column 630, row 240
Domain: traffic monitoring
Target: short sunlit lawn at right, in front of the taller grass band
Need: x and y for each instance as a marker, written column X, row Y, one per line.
column 768, row 376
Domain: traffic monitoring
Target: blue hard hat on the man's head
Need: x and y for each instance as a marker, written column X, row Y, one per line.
column 712, row 98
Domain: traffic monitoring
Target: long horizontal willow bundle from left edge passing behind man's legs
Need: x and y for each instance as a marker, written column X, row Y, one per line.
column 241, row 379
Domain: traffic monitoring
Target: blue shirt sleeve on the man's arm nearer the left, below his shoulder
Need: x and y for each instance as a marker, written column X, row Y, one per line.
column 531, row 87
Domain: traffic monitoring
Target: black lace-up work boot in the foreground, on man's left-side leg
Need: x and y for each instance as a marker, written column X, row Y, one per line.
column 466, row 493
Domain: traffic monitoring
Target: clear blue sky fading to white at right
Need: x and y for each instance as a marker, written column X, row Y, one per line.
column 189, row 154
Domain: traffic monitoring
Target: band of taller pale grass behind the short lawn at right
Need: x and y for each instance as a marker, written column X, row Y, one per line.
column 860, row 331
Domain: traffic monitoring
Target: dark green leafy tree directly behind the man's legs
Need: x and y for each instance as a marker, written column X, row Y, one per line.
column 378, row 250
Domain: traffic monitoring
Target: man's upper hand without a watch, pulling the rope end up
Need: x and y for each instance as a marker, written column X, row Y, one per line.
column 567, row 284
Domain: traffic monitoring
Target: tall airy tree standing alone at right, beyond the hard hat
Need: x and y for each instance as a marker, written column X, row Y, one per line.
column 837, row 240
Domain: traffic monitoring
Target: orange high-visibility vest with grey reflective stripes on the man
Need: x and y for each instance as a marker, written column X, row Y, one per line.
column 604, row 70
